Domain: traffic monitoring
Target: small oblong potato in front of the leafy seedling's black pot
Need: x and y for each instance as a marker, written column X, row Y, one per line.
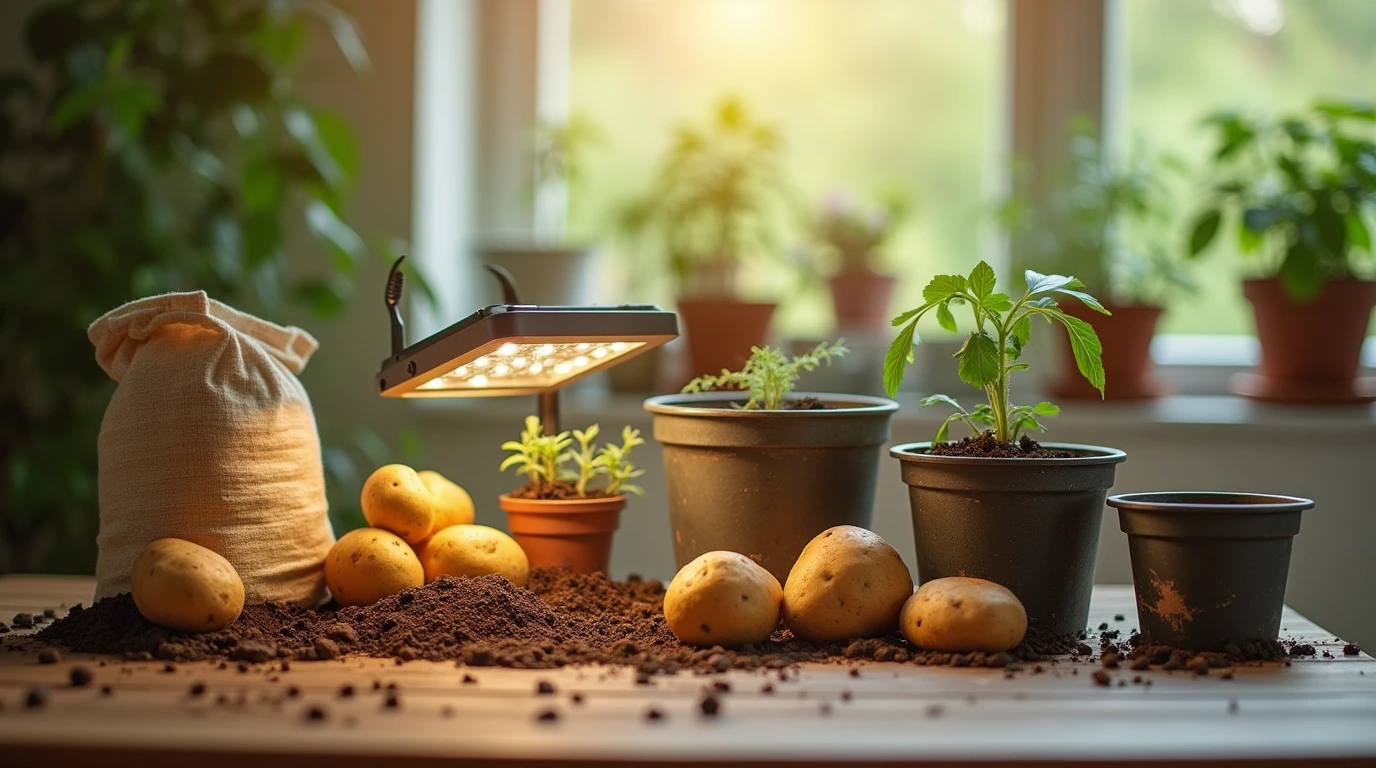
column 964, row 615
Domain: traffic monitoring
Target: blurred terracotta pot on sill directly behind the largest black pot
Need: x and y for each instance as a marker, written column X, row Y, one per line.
column 720, row 332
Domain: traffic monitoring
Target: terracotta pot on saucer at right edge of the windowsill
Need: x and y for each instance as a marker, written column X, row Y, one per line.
column 1311, row 352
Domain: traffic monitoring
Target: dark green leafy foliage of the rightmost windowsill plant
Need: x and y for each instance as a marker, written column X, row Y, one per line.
column 1302, row 189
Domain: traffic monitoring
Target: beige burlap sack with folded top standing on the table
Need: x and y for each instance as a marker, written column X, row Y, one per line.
column 210, row 437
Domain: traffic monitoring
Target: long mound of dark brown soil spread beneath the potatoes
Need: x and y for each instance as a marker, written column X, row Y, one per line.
column 562, row 619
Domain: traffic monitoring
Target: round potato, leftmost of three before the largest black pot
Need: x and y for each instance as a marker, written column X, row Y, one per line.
column 723, row 599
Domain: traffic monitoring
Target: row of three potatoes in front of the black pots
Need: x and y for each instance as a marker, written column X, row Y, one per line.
column 848, row 583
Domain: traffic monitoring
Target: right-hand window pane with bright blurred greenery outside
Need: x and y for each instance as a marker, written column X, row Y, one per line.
column 1192, row 57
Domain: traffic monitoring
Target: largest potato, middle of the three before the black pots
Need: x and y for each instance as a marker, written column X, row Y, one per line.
column 847, row 583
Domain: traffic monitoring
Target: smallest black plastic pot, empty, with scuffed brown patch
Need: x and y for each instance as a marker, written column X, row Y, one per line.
column 1209, row 568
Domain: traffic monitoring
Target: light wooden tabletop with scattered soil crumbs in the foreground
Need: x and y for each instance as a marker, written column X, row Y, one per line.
column 1320, row 711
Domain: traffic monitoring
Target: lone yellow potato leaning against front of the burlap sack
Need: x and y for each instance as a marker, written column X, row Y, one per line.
column 184, row 586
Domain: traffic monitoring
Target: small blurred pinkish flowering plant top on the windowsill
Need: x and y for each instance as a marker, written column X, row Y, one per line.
column 851, row 235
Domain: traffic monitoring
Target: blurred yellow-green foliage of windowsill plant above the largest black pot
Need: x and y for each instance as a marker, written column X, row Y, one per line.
column 718, row 200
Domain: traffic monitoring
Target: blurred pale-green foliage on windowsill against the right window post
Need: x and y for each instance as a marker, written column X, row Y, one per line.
column 1108, row 221
